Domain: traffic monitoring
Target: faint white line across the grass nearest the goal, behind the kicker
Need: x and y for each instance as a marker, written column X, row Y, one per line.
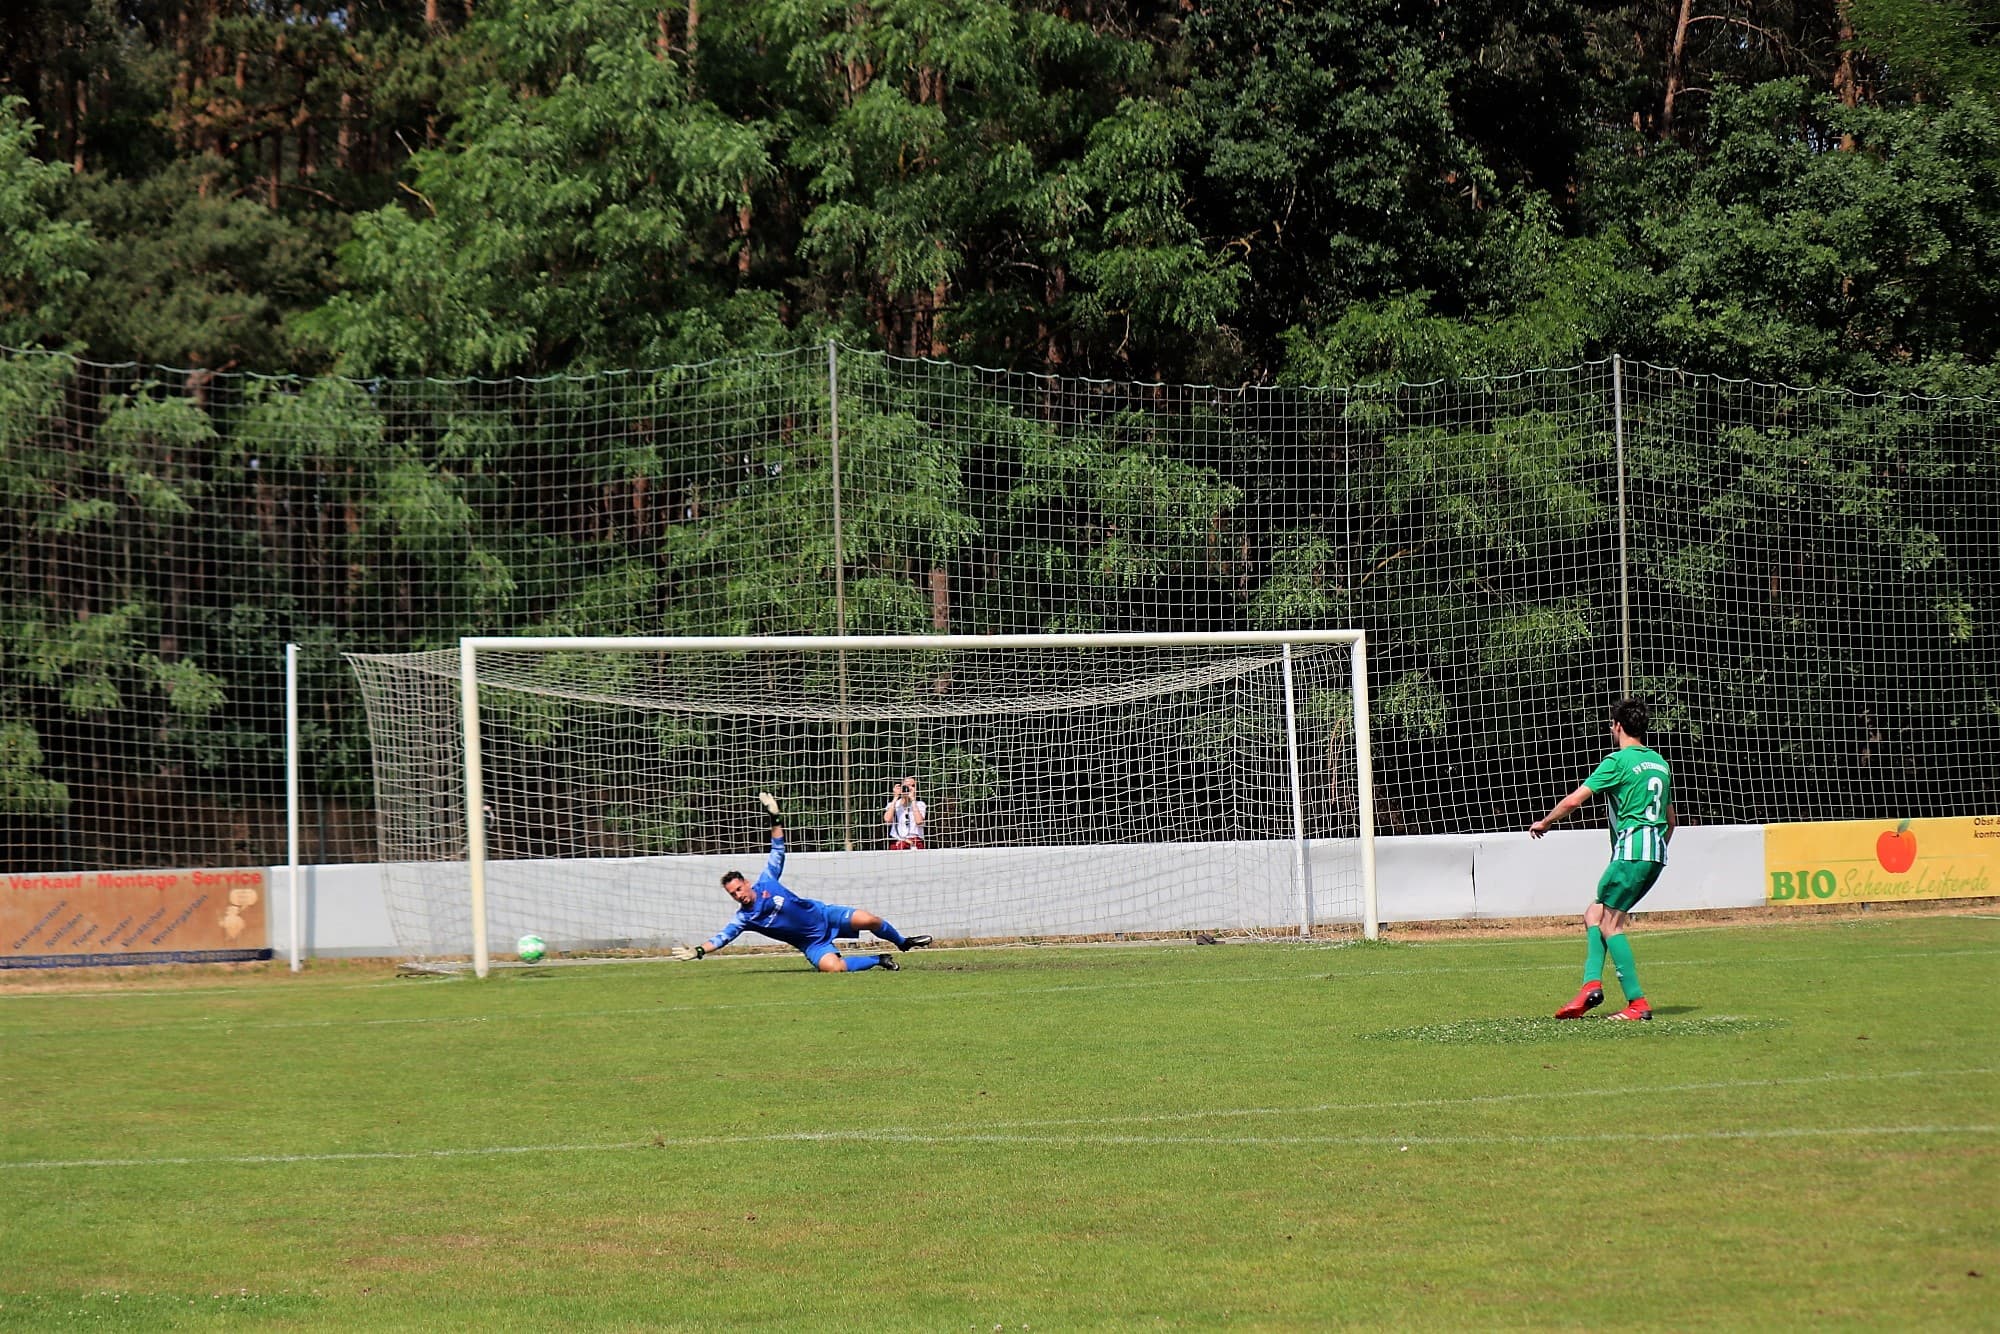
column 869, row 993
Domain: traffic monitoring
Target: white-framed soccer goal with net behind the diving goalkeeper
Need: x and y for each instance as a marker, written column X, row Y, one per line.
column 1081, row 787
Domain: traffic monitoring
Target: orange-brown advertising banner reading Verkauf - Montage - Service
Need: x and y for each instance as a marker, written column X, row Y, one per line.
column 133, row 917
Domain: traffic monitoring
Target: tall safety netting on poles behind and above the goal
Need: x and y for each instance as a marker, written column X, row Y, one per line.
column 1803, row 581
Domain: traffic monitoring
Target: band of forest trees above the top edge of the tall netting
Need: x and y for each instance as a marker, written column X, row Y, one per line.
column 1235, row 193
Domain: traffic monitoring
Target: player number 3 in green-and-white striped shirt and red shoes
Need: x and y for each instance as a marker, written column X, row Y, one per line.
column 1639, row 787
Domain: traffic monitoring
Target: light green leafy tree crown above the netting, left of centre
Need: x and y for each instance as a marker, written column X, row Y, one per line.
column 575, row 219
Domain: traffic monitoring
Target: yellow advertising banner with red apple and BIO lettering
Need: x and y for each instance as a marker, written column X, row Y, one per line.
column 1881, row 861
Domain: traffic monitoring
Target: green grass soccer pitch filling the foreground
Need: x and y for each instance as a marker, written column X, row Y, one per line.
column 1273, row 1135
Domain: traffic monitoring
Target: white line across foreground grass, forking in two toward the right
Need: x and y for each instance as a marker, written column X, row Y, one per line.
column 1049, row 1131
